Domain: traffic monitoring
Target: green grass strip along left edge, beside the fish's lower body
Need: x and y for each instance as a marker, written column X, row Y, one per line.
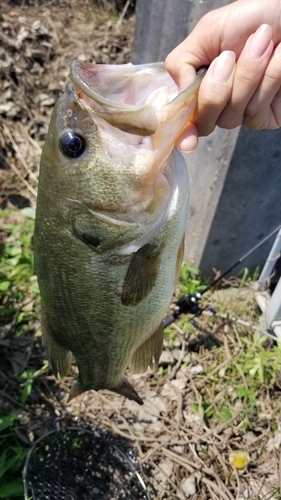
column 19, row 299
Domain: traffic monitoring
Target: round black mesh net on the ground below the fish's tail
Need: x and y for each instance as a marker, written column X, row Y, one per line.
column 76, row 464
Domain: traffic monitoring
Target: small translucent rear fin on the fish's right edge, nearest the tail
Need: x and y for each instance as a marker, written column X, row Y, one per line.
column 148, row 353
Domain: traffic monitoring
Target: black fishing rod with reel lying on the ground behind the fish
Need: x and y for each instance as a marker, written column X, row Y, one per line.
column 189, row 303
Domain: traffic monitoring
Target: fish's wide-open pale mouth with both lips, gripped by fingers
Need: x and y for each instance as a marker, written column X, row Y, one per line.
column 137, row 99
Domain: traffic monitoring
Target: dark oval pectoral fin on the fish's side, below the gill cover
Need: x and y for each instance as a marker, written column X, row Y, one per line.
column 141, row 275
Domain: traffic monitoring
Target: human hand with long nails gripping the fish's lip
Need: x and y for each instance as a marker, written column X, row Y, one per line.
column 241, row 43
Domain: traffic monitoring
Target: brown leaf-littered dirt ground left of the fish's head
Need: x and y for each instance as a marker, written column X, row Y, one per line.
column 38, row 43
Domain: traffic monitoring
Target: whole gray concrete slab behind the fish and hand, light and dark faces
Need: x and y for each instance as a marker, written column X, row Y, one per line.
column 235, row 176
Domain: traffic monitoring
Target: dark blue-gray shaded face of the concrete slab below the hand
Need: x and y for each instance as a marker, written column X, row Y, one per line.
column 249, row 205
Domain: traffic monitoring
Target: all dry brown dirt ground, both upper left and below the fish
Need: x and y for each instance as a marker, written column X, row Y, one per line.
column 181, row 453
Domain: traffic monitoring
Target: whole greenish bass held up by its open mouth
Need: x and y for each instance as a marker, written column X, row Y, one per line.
column 110, row 221
